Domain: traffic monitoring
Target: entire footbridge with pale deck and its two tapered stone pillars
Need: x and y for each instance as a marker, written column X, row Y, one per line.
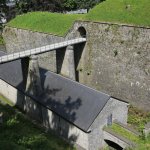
column 30, row 66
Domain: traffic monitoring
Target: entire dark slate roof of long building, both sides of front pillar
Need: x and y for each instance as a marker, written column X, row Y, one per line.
column 76, row 103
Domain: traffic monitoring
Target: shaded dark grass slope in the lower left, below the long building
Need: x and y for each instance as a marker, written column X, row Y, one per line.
column 18, row 133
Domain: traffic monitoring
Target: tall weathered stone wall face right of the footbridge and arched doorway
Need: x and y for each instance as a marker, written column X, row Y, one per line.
column 116, row 61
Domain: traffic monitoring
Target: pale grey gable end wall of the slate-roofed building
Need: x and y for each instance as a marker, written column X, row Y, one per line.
column 119, row 111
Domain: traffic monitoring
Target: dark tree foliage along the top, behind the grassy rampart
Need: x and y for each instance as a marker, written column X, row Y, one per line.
column 24, row 6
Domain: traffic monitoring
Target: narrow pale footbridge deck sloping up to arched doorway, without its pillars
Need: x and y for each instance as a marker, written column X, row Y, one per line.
column 39, row 50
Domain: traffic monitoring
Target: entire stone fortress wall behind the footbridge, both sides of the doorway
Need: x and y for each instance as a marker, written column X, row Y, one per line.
column 114, row 60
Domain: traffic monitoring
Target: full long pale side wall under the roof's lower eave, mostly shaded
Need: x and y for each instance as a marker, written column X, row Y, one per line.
column 49, row 119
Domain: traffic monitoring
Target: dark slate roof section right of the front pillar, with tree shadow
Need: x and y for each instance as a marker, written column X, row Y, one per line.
column 75, row 102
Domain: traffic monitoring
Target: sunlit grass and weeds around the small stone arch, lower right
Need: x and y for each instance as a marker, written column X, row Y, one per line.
column 137, row 119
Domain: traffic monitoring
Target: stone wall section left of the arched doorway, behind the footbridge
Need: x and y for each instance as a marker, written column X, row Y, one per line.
column 19, row 40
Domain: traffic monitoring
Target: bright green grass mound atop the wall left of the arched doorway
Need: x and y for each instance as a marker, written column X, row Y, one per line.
column 54, row 23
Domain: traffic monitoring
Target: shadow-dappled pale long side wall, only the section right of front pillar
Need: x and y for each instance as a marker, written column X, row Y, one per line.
column 63, row 128
